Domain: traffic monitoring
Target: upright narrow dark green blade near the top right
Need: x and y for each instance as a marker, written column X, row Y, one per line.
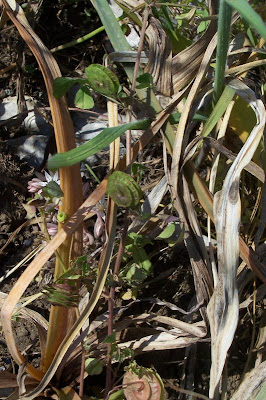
column 224, row 25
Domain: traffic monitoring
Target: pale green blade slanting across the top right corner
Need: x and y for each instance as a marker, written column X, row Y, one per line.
column 247, row 12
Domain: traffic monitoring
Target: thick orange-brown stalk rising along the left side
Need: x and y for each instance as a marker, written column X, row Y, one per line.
column 60, row 318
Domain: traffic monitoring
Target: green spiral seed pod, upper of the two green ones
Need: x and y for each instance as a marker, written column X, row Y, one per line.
column 102, row 80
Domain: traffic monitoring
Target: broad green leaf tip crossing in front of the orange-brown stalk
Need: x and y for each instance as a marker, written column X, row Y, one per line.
column 107, row 136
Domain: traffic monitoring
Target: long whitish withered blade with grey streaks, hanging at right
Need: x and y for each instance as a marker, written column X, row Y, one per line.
column 223, row 307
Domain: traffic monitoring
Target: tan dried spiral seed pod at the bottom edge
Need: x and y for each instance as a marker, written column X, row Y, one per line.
column 142, row 384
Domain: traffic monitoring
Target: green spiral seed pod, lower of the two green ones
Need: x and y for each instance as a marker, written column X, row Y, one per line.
column 123, row 190
